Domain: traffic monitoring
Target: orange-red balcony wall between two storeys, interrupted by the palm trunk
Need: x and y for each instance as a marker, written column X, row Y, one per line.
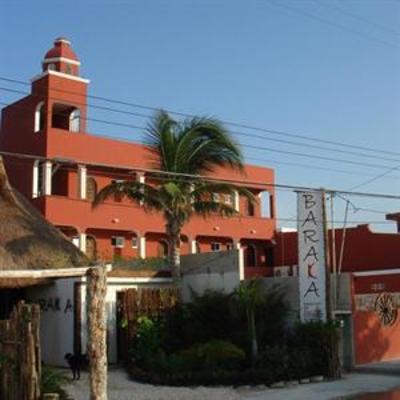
column 65, row 211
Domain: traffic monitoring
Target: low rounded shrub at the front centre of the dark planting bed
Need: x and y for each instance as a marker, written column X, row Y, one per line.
column 213, row 355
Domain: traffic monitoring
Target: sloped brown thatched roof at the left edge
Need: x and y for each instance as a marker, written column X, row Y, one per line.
column 29, row 242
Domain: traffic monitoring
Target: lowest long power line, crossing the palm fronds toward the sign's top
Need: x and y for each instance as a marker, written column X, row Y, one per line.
column 195, row 178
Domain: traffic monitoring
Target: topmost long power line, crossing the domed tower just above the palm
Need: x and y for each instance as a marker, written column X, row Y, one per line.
column 231, row 123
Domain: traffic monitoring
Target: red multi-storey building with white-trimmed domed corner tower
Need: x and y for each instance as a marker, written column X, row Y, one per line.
column 69, row 165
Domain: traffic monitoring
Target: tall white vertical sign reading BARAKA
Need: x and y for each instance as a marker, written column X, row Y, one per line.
column 311, row 248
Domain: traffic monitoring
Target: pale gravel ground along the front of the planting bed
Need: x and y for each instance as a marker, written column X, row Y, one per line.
column 120, row 387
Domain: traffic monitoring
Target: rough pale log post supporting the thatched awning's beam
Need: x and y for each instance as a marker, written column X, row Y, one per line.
column 96, row 289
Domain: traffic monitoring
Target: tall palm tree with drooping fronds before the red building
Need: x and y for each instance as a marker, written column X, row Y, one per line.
column 181, row 153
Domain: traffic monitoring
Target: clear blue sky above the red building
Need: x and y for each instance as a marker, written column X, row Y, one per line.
column 303, row 67
